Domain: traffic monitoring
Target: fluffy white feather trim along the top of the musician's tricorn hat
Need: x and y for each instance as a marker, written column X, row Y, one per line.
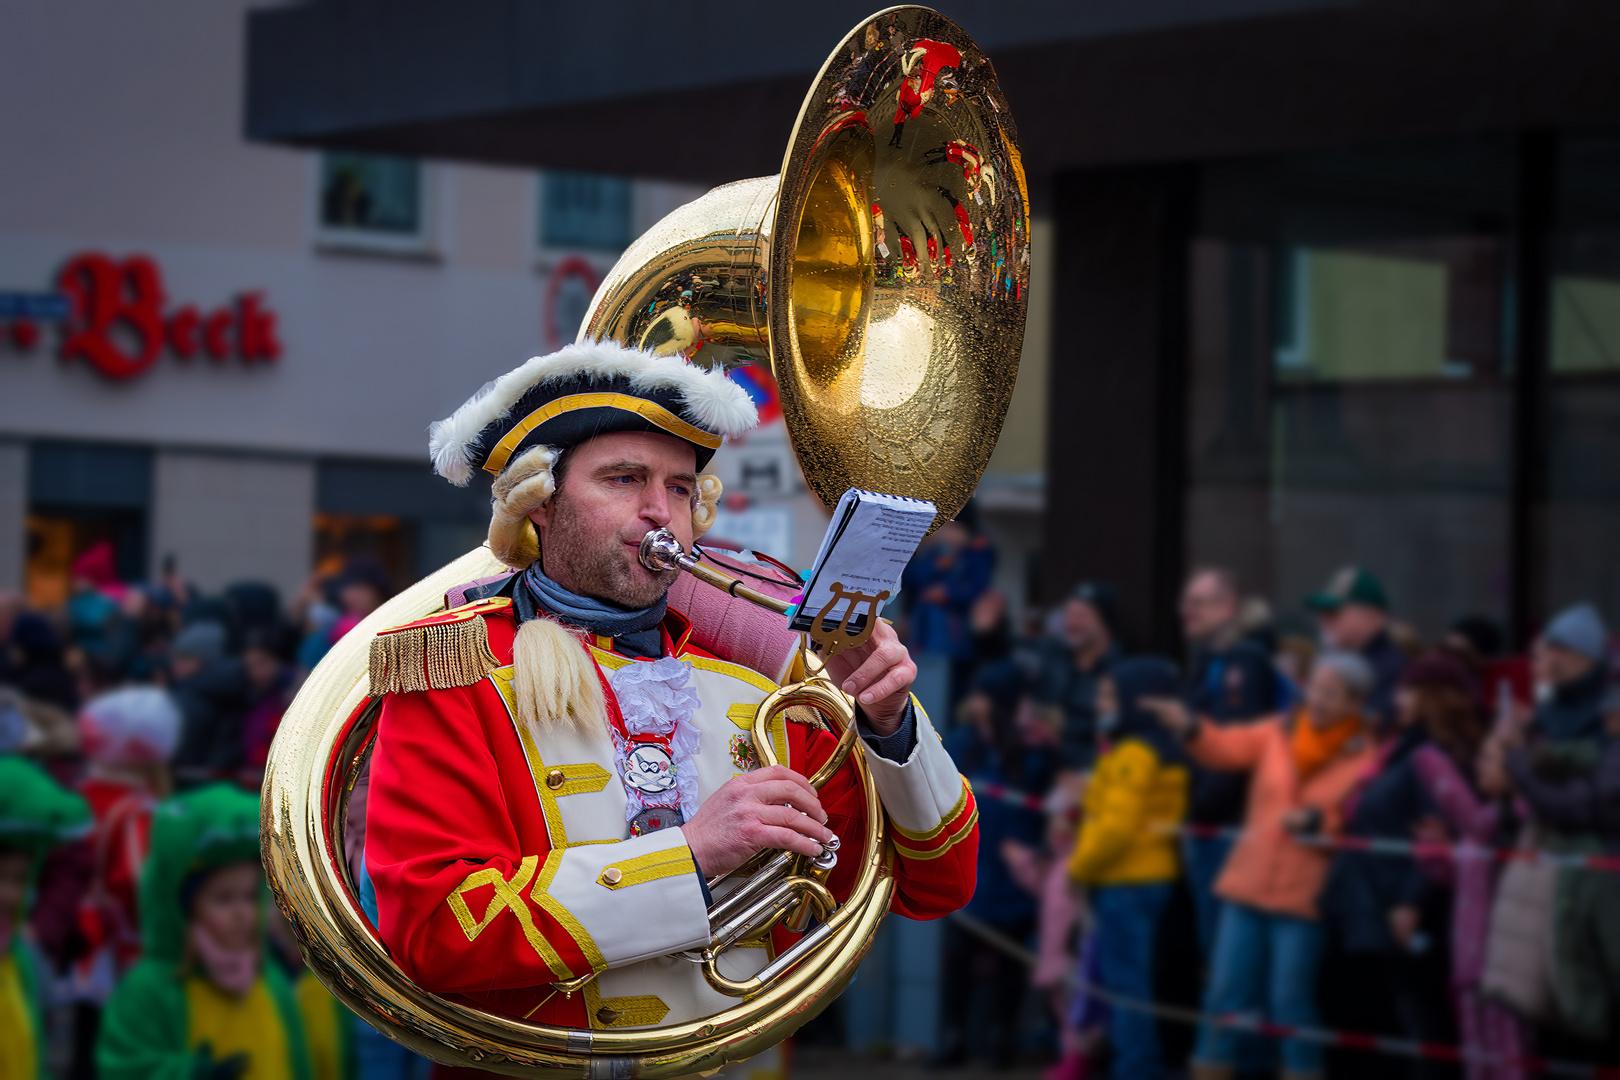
column 710, row 401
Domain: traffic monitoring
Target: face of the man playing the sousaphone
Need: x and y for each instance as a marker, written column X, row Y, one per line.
column 618, row 488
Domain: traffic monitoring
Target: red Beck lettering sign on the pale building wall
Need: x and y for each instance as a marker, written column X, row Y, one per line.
column 119, row 323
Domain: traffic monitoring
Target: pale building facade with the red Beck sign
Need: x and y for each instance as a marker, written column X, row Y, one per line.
column 224, row 357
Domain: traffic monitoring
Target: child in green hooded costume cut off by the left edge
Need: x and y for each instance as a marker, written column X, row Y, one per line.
column 36, row 815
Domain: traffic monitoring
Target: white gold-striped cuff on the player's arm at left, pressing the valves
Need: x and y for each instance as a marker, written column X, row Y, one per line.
column 636, row 899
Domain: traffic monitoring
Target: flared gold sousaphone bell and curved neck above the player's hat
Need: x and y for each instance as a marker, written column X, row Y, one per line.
column 895, row 368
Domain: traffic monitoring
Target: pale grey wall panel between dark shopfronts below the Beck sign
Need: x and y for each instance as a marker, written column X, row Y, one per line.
column 229, row 519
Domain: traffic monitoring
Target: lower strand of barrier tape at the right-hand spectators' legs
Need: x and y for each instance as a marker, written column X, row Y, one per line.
column 1349, row 1040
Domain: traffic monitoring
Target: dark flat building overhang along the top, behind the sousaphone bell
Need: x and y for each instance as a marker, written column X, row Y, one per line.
column 709, row 91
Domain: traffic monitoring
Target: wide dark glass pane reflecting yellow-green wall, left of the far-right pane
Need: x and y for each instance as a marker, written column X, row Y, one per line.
column 1350, row 394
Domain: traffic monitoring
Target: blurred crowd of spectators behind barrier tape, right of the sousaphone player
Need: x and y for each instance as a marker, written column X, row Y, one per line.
column 1319, row 819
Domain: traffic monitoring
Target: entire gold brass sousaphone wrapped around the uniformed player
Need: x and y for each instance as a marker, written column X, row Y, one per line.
column 884, row 278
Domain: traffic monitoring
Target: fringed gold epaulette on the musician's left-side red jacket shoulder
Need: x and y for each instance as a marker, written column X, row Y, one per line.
column 445, row 650
